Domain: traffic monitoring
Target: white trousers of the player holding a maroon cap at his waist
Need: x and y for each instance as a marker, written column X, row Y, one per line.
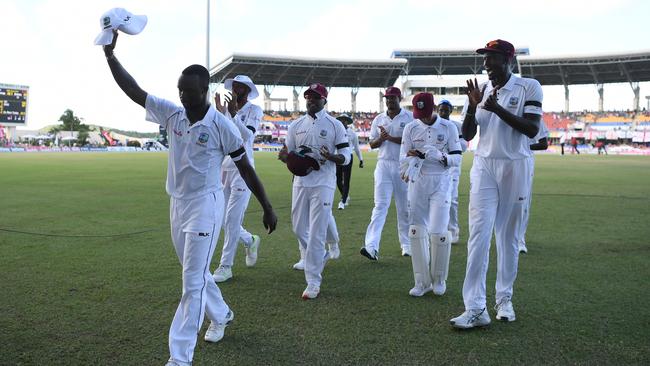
column 311, row 209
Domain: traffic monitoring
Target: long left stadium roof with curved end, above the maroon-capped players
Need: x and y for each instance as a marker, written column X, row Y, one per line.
column 301, row 71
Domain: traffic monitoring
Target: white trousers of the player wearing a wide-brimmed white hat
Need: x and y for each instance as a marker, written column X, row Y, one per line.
column 236, row 195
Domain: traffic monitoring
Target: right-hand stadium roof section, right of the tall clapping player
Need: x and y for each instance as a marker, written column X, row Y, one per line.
column 588, row 69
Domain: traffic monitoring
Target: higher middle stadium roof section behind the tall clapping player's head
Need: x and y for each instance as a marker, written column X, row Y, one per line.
column 445, row 62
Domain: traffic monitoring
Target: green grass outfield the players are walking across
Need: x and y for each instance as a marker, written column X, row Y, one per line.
column 581, row 295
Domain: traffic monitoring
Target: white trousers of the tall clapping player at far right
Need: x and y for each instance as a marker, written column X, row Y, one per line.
column 499, row 190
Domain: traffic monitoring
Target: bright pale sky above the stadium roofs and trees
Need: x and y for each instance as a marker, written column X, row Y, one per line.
column 48, row 44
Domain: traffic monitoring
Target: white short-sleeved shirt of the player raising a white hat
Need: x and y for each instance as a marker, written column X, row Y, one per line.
column 196, row 152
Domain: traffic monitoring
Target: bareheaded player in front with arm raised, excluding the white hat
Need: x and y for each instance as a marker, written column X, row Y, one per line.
column 199, row 139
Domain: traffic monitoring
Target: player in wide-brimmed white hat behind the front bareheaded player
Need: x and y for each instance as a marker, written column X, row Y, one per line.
column 246, row 117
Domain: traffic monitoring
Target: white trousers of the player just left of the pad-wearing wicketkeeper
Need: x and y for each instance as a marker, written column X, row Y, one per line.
column 388, row 183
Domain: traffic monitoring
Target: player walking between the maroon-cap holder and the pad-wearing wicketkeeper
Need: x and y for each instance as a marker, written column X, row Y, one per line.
column 386, row 135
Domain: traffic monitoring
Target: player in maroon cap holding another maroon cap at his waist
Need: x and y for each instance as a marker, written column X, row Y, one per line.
column 320, row 140
